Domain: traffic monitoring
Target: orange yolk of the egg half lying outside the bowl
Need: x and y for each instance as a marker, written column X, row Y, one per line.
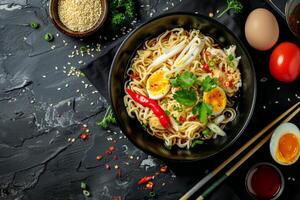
column 288, row 148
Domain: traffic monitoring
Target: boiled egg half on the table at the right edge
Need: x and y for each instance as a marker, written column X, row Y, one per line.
column 285, row 144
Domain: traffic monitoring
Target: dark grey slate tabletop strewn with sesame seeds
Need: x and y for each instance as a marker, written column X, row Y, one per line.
column 36, row 119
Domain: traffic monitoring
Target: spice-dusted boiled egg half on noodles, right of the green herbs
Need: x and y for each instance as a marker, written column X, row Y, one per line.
column 216, row 98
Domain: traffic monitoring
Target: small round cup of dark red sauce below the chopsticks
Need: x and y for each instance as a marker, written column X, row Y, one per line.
column 264, row 182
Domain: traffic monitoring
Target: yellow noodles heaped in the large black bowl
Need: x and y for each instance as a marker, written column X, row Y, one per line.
column 168, row 51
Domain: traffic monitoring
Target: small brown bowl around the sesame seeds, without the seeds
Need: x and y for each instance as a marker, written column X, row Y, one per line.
column 53, row 11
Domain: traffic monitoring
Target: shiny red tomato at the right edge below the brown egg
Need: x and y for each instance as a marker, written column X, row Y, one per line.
column 285, row 62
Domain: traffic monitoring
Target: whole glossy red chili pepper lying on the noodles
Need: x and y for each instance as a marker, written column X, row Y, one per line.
column 153, row 105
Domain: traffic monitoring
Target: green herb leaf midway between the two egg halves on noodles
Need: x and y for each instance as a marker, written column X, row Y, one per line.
column 186, row 97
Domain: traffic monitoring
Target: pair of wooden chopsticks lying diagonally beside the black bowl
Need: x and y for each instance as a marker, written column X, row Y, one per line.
column 220, row 180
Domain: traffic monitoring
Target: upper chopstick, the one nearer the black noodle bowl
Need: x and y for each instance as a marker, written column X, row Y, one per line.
column 210, row 175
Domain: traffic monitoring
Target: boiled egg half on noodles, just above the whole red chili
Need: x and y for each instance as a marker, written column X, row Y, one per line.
column 158, row 85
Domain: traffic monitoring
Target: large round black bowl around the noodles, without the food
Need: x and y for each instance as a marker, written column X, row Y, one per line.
column 132, row 128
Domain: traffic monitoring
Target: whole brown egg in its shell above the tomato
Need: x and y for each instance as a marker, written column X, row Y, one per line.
column 261, row 29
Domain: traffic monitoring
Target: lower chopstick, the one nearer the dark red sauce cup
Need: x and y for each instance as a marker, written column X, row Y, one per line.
column 244, row 158
